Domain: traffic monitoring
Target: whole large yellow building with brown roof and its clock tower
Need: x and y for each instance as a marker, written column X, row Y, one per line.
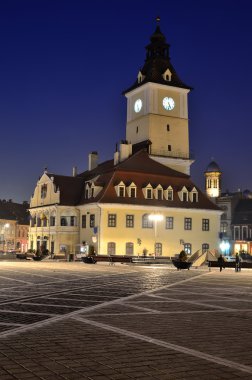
column 144, row 197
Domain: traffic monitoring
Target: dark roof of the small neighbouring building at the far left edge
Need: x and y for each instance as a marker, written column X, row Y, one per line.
column 14, row 211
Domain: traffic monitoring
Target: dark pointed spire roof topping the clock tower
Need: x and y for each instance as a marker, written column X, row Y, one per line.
column 157, row 62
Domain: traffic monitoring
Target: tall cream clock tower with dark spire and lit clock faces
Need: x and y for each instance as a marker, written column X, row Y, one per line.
column 157, row 107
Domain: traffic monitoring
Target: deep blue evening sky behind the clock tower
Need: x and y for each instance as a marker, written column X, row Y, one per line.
column 64, row 65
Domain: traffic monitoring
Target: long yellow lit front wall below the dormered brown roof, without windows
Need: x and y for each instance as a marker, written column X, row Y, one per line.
column 171, row 239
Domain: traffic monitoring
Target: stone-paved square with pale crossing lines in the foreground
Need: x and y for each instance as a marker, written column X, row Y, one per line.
column 75, row 321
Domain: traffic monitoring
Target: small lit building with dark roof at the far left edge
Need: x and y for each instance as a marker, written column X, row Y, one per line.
column 14, row 226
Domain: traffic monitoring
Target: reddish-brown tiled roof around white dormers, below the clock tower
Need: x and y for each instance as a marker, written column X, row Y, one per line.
column 142, row 170
